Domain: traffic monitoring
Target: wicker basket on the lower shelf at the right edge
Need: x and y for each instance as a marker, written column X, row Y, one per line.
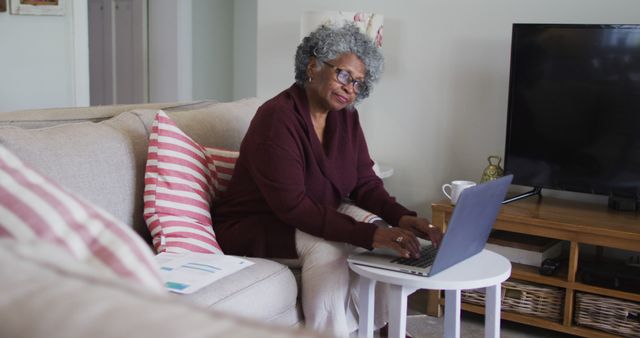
column 608, row 314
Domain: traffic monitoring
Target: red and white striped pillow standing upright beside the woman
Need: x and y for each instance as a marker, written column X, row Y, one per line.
column 182, row 178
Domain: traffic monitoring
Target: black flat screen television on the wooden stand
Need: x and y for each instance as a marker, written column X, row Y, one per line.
column 574, row 109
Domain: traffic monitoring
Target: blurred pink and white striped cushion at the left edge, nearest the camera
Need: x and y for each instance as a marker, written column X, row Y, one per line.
column 34, row 208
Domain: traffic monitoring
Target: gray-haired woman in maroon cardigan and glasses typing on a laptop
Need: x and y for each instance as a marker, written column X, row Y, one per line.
column 303, row 154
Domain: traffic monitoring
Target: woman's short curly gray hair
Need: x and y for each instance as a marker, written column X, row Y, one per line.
column 328, row 42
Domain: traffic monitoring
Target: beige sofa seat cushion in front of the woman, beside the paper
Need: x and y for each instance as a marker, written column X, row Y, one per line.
column 265, row 291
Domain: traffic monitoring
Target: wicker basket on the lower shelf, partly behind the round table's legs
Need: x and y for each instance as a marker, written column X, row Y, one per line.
column 525, row 298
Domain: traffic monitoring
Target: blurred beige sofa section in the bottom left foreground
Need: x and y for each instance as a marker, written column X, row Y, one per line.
column 41, row 297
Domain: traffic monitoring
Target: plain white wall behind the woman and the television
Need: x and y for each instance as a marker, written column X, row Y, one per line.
column 440, row 108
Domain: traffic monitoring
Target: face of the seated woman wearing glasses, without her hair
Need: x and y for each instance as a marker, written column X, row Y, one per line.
column 325, row 91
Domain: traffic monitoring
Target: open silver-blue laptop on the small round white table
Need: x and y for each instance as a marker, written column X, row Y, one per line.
column 466, row 235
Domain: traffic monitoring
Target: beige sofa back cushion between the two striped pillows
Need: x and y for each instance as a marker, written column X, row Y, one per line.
column 102, row 162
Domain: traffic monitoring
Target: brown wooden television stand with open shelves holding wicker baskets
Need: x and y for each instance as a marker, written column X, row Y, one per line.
column 579, row 225
